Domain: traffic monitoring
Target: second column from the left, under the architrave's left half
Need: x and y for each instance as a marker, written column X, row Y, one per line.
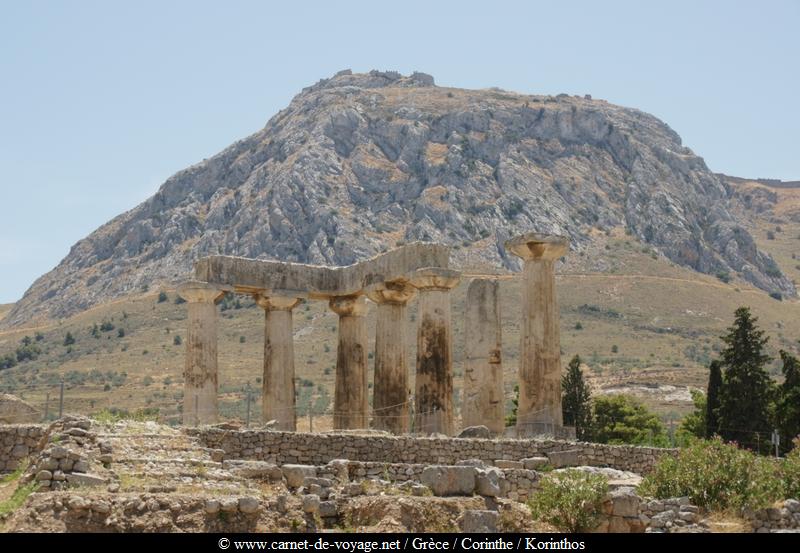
column 277, row 384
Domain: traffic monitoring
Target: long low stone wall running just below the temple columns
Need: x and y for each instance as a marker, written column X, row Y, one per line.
column 318, row 449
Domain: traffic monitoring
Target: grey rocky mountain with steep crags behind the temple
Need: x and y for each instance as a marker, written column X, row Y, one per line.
column 359, row 162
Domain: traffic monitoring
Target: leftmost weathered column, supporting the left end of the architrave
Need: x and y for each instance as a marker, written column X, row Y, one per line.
column 200, row 370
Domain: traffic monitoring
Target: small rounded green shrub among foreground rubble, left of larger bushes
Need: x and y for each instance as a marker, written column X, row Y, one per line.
column 570, row 500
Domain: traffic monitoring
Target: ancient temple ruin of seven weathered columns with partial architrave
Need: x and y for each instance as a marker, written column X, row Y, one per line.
column 390, row 281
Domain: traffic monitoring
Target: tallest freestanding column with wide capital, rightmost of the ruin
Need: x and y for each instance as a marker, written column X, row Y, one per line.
column 539, row 407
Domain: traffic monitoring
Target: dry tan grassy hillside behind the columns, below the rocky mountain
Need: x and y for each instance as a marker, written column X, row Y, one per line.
column 664, row 321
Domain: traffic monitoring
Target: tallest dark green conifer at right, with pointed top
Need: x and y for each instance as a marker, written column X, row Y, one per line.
column 746, row 387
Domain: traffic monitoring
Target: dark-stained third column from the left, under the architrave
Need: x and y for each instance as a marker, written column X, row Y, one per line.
column 350, row 404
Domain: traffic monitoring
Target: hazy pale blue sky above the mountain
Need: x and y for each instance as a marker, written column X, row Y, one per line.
column 101, row 101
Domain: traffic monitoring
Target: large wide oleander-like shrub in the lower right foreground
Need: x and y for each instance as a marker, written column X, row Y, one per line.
column 717, row 476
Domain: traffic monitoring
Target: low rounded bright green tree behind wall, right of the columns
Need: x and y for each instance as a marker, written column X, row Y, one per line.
column 621, row 419
